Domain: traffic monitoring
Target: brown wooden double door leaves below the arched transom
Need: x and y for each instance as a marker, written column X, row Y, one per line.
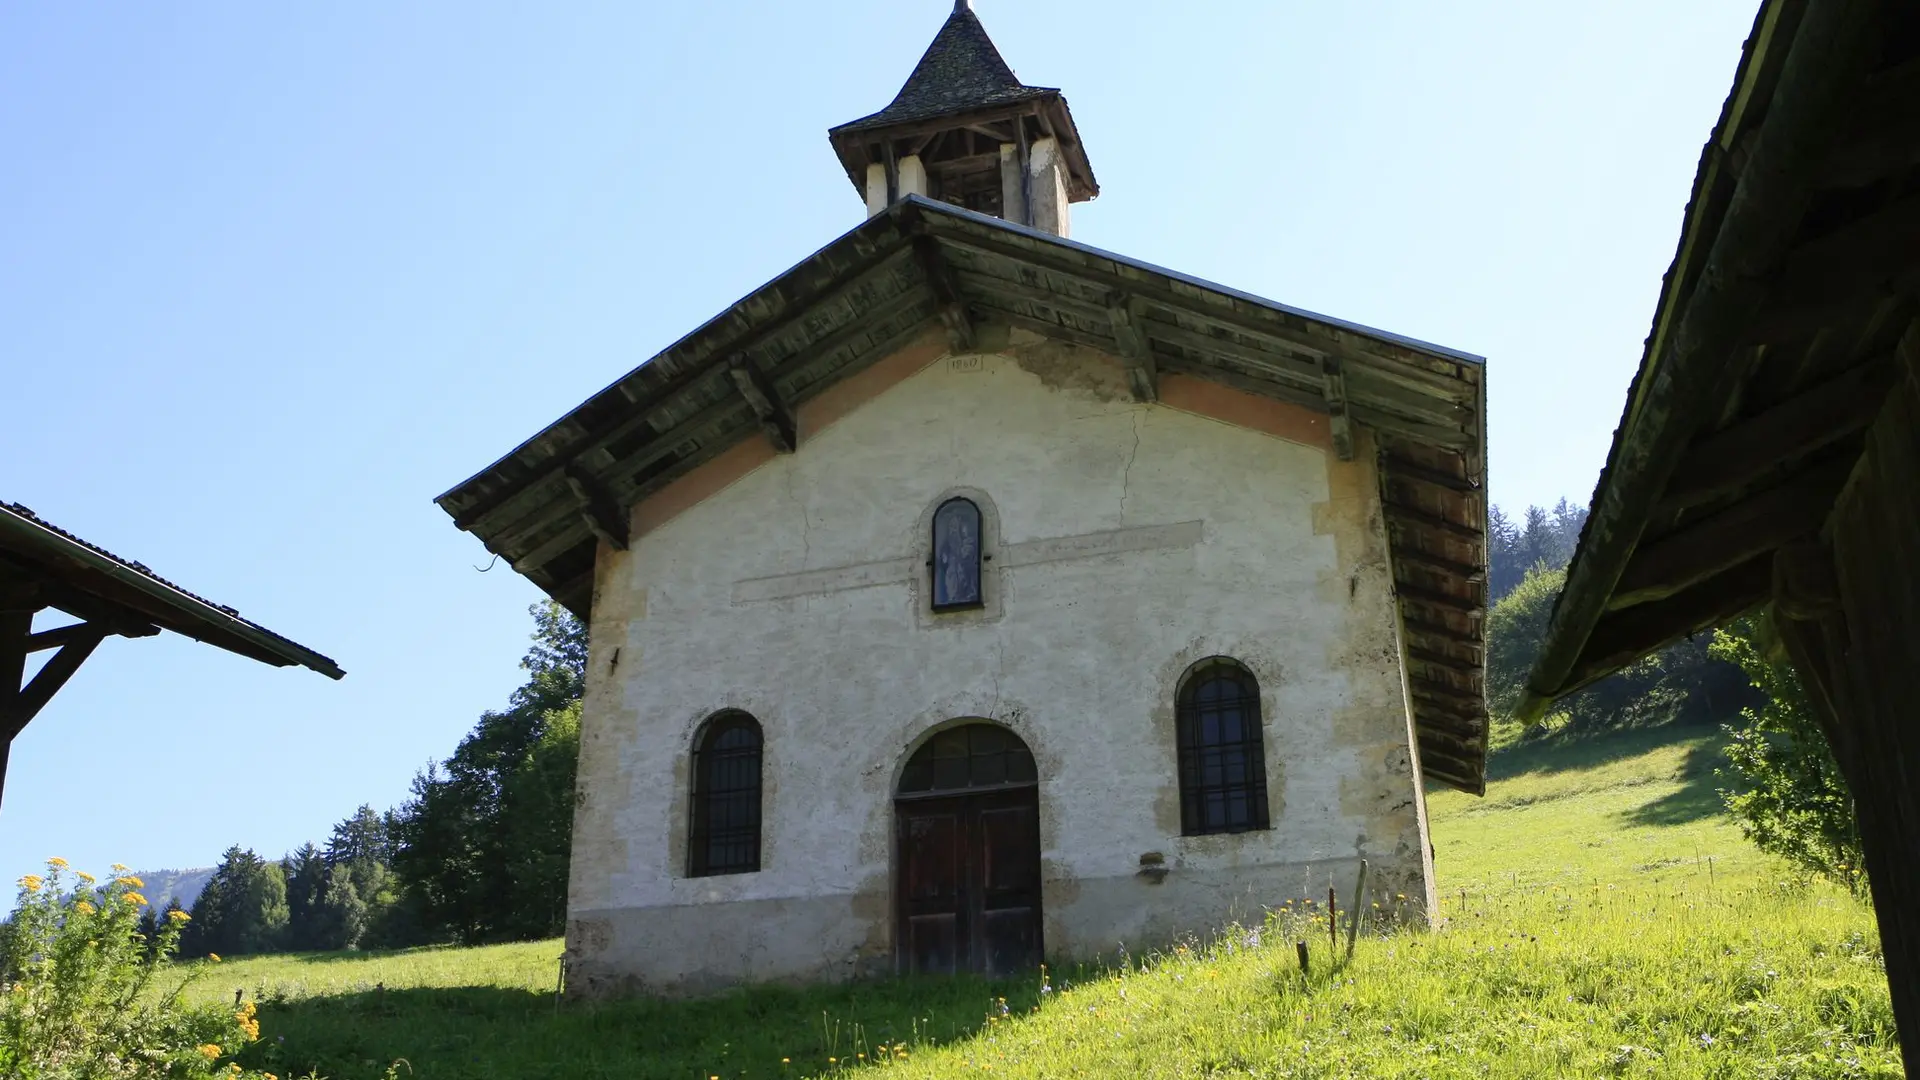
column 969, row 887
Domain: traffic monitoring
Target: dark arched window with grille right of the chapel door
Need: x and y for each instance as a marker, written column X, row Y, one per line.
column 1224, row 770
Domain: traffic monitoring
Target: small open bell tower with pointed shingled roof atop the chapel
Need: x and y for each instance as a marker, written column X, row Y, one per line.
column 967, row 132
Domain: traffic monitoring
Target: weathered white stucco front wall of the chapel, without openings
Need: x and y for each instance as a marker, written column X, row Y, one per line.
column 1128, row 541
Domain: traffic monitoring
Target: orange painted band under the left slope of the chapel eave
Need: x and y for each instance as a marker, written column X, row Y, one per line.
column 815, row 416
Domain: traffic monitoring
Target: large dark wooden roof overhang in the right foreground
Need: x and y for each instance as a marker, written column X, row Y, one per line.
column 1790, row 308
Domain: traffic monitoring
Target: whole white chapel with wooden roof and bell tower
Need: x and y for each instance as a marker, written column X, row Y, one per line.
column 971, row 597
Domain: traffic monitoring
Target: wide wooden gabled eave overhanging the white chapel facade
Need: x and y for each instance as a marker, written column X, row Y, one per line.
column 926, row 264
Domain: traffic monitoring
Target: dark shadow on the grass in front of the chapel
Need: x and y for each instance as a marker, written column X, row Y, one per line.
column 492, row 1033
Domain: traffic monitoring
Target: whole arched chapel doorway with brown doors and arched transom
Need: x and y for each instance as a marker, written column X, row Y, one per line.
column 969, row 856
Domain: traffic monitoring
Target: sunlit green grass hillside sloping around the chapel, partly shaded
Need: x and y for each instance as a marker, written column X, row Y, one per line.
column 1602, row 921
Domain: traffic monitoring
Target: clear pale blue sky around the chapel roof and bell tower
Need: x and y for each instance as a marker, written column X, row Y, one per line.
column 272, row 278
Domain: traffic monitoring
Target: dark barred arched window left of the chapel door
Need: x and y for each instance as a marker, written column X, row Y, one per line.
column 727, row 798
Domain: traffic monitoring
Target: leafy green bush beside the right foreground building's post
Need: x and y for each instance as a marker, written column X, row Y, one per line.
column 1790, row 795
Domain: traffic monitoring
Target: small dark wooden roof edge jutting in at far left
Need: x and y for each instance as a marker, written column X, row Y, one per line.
column 43, row 566
